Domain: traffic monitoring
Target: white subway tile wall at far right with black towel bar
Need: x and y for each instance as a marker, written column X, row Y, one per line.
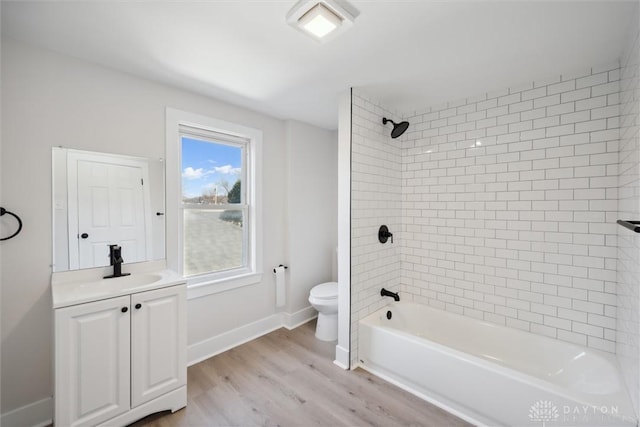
column 628, row 301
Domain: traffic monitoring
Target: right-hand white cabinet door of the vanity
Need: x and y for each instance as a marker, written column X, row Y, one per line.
column 158, row 343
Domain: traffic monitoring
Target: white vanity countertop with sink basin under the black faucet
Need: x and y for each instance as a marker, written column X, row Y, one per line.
column 77, row 287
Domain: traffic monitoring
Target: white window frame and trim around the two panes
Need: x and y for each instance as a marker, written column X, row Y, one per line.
column 210, row 283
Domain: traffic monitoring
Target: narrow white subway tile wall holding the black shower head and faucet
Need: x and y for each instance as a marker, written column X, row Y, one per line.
column 376, row 199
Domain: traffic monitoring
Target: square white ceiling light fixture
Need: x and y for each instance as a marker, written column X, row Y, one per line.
column 322, row 20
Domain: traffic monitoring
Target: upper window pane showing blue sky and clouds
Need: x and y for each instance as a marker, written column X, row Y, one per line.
column 211, row 172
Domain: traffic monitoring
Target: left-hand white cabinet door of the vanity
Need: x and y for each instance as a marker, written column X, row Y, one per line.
column 92, row 362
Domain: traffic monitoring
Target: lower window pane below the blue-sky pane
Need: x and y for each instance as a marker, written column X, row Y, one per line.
column 213, row 240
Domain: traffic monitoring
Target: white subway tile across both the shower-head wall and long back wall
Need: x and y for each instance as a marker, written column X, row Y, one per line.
column 508, row 207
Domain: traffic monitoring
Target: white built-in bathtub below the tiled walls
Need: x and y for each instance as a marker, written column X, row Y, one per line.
column 493, row 375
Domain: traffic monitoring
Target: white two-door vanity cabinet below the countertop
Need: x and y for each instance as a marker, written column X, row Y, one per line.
column 120, row 359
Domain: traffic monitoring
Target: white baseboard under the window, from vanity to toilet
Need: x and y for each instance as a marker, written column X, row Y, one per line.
column 212, row 346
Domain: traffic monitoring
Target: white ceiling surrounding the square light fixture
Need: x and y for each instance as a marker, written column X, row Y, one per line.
column 406, row 54
